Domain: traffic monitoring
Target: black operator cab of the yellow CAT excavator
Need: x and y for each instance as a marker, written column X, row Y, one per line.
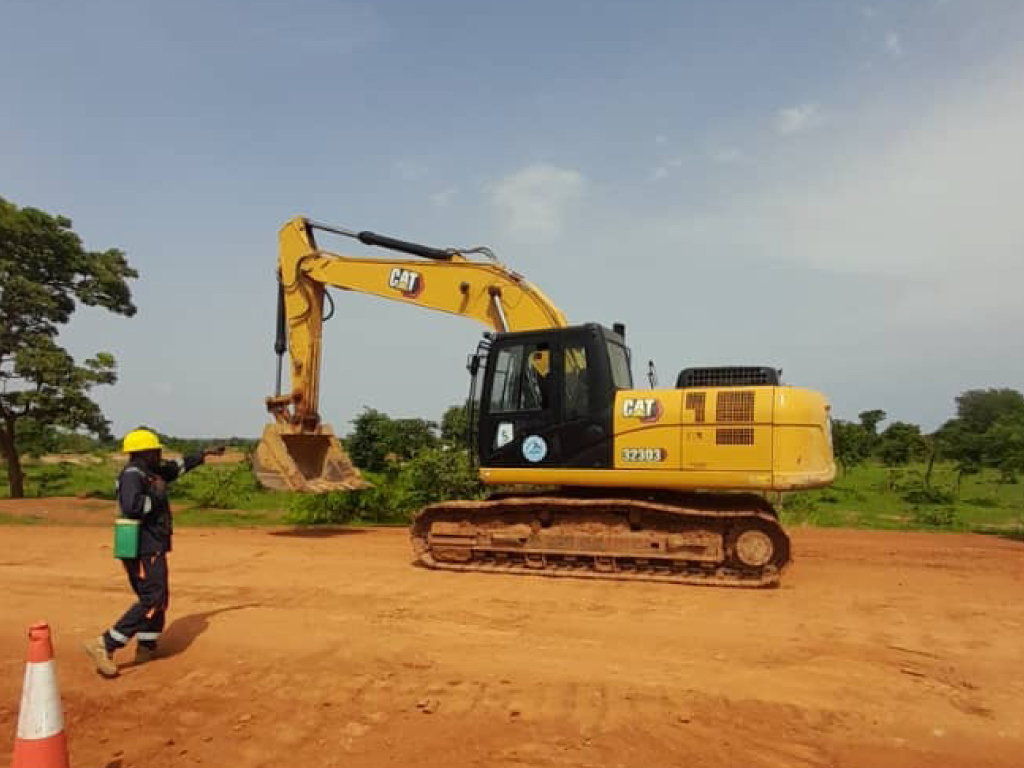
column 548, row 398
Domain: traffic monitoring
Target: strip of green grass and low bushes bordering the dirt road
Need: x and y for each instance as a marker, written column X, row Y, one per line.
column 869, row 497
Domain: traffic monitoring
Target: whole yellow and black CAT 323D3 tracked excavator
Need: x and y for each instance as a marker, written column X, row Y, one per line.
column 590, row 476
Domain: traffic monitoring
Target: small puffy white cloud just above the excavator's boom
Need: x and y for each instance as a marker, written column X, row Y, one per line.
column 535, row 200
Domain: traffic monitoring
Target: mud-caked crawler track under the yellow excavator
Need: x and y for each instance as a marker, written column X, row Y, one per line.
column 717, row 540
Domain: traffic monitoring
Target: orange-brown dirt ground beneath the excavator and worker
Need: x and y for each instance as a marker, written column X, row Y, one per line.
column 331, row 650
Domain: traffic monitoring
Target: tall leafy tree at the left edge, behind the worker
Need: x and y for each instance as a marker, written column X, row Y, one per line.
column 46, row 274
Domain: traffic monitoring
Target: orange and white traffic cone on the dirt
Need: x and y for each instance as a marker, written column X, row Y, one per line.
column 41, row 742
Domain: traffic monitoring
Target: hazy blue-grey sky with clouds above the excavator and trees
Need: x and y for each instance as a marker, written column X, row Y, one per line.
column 834, row 189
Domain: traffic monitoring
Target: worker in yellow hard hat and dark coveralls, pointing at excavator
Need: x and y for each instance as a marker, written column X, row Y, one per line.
column 142, row 491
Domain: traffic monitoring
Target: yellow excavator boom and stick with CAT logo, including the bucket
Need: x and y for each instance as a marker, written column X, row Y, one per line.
column 301, row 453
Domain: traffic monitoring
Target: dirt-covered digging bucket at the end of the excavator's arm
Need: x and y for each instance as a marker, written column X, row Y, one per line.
column 307, row 462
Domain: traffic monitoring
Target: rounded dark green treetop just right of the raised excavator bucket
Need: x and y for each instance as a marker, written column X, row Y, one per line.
column 378, row 441
